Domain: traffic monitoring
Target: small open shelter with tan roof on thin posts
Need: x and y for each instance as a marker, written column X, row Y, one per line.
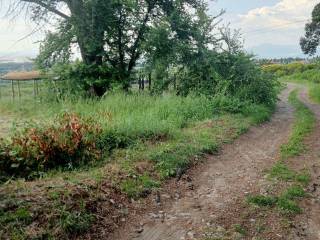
column 18, row 77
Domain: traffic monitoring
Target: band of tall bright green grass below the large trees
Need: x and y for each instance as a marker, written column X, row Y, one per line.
column 137, row 115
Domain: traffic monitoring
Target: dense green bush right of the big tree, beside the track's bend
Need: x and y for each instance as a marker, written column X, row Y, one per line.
column 229, row 74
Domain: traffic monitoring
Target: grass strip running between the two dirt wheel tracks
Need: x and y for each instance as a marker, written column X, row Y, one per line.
column 287, row 199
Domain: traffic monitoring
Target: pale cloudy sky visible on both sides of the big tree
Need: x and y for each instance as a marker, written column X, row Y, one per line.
column 271, row 28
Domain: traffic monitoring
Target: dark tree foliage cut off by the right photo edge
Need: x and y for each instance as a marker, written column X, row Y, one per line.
column 310, row 42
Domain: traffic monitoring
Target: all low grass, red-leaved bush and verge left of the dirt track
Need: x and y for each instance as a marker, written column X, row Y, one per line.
column 125, row 144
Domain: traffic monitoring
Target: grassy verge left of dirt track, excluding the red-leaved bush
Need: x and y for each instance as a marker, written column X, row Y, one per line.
column 166, row 136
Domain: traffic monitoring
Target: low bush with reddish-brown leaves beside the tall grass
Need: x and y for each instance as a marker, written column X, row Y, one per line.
column 67, row 143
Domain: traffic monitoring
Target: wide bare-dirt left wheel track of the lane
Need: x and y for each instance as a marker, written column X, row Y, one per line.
column 222, row 179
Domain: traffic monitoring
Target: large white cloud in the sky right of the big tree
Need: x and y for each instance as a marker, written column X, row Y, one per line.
column 281, row 24
